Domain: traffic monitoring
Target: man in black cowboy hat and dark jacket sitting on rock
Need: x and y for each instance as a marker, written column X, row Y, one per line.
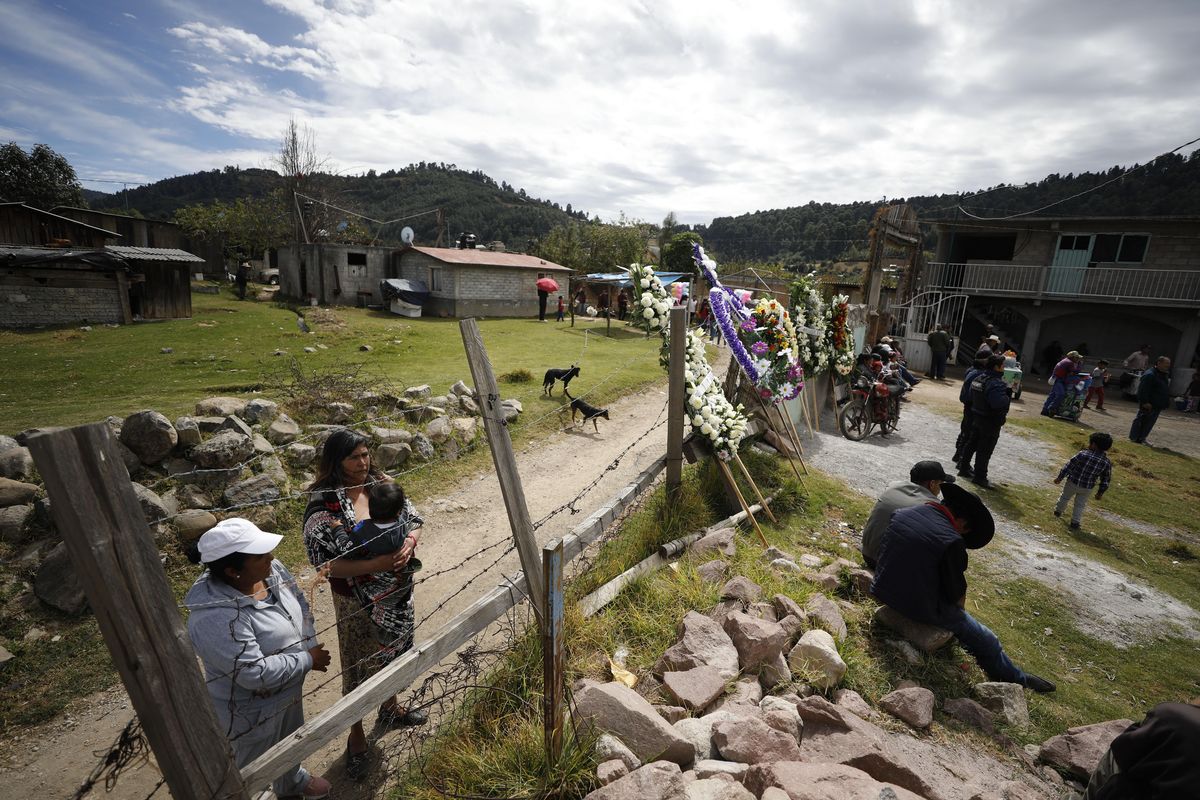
column 922, row 574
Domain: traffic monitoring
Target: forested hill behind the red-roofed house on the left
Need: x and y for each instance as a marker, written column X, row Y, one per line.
column 473, row 202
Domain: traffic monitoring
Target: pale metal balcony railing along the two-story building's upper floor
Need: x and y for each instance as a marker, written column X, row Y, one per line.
column 1102, row 284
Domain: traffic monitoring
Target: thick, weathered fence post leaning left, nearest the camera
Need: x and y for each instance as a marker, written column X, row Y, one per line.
column 117, row 561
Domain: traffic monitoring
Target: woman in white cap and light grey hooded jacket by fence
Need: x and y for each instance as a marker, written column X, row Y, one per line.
column 253, row 629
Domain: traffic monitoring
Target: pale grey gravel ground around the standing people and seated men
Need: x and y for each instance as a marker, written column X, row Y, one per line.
column 1107, row 604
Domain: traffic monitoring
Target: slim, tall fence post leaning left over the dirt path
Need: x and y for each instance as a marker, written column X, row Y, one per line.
column 501, row 446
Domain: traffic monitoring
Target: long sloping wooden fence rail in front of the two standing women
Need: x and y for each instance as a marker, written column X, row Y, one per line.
column 323, row 729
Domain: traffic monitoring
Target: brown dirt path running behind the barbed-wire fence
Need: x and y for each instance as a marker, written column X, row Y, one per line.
column 53, row 760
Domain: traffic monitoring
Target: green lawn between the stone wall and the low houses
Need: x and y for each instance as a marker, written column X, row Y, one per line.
column 70, row 377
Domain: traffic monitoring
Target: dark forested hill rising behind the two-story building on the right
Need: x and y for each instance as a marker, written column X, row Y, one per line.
column 820, row 232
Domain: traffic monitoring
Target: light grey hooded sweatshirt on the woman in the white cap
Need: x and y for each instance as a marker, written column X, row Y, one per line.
column 255, row 653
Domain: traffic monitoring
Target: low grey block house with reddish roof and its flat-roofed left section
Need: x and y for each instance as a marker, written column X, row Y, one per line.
column 461, row 282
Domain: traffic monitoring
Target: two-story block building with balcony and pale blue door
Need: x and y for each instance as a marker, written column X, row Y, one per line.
column 1100, row 285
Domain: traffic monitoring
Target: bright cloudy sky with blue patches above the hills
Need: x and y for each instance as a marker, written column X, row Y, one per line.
column 640, row 107
